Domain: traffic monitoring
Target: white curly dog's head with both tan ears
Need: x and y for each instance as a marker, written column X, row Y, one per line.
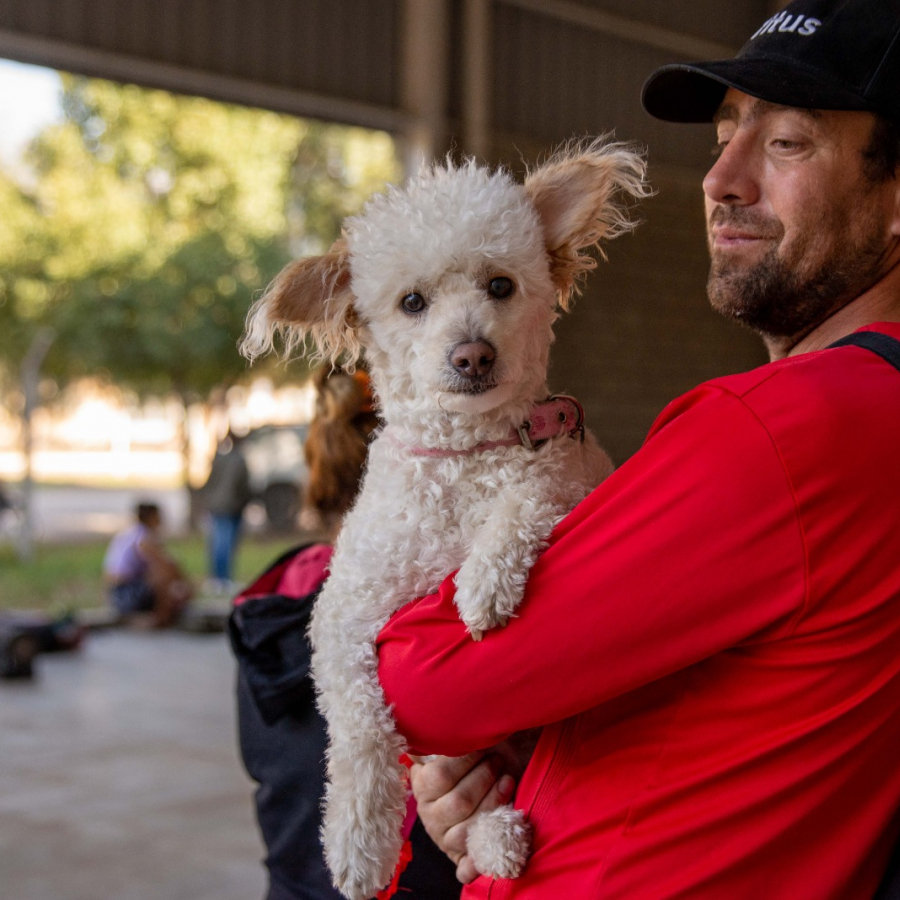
column 451, row 284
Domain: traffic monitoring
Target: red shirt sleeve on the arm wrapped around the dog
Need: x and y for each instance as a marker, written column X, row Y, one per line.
column 692, row 547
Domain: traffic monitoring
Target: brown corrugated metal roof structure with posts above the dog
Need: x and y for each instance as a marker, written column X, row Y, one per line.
column 462, row 71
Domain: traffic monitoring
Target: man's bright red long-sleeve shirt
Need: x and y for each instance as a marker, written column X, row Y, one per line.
column 713, row 642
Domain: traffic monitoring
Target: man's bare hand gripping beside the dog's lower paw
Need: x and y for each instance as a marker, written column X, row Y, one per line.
column 449, row 792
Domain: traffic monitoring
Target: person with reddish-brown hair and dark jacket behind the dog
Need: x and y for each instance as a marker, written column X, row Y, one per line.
column 282, row 735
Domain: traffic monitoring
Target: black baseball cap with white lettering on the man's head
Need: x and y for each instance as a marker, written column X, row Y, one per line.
column 814, row 54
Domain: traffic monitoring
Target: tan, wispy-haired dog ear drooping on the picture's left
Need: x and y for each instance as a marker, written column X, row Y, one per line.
column 309, row 298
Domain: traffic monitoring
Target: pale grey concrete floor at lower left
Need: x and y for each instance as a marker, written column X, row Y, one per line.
column 119, row 775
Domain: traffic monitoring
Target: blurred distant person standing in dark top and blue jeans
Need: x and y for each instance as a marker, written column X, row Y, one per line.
column 225, row 496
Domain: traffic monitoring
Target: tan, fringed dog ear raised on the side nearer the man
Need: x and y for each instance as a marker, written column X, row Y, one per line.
column 578, row 196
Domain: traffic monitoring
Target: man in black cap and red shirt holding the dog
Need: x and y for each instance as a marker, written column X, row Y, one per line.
column 711, row 641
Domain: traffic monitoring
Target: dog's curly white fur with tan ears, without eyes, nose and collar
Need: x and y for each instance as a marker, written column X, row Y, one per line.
column 486, row 512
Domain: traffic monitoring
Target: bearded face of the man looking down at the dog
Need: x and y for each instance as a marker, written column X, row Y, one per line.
column 796, row 230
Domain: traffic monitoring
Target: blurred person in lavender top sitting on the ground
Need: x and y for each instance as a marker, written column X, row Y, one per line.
column 141, row 576
